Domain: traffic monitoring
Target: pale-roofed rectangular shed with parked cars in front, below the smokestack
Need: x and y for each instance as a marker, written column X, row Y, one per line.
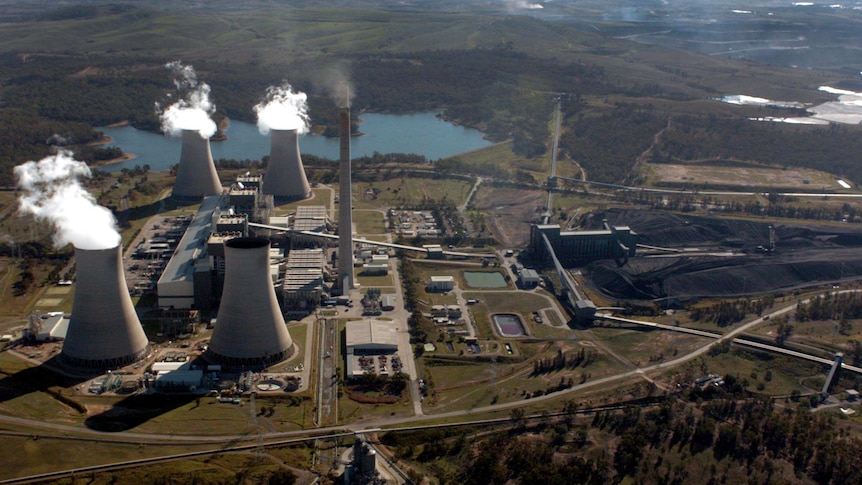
column 371, row 345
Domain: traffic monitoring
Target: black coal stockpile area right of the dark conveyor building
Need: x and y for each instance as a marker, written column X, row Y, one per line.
column 684, row 258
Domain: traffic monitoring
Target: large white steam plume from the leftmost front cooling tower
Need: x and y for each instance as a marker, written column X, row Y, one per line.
column 52, row 191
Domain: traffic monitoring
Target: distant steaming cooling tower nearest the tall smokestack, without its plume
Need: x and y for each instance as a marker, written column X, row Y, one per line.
column 285, row 178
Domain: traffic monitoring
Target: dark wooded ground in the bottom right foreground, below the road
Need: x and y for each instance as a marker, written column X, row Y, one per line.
column 721, row 441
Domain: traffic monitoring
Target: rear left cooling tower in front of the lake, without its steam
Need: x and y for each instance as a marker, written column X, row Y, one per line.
column 196, row 175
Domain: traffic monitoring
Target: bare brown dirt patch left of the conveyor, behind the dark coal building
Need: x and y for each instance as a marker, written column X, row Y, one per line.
column 510, row 212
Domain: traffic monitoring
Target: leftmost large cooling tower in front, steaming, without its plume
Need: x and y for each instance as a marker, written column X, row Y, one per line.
column 104, row 330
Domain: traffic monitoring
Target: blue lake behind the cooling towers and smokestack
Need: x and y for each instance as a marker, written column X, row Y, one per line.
column 419, row 133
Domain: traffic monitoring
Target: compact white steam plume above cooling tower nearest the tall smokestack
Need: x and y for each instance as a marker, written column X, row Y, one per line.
column 282, row 109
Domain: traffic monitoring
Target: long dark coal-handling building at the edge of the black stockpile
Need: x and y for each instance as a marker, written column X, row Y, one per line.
column 574, row 247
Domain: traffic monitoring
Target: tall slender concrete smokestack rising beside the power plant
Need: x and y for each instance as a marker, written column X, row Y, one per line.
column 345, row 218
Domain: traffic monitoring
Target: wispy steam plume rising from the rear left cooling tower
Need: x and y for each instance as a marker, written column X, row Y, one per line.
column 193, row 109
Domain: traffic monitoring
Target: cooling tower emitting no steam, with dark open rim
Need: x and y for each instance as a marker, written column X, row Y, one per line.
column 250, row 330
